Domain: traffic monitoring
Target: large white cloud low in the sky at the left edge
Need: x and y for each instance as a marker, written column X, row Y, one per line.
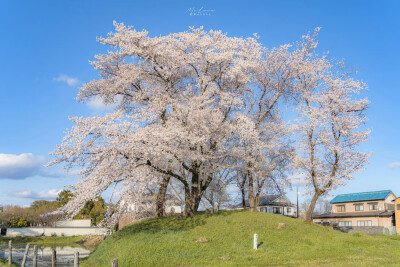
column 20, row 166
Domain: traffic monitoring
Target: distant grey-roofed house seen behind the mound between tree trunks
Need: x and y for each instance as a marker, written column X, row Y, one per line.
column 276, row 204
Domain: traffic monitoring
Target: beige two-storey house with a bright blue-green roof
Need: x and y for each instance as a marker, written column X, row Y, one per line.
column 368, row 212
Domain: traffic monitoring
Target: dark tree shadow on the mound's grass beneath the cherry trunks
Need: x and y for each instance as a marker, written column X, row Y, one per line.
column 171, row 223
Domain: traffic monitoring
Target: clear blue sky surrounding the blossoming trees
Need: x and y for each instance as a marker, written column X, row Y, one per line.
column 46, row 45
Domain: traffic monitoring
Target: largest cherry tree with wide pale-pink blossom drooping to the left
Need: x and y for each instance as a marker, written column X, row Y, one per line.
column 181, row 97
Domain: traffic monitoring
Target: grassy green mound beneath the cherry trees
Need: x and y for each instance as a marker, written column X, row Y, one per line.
column 172, row 242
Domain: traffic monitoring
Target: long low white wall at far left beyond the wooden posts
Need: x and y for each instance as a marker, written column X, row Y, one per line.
column 55, row 231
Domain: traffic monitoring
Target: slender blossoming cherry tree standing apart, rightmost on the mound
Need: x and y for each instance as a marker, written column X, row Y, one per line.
column 330, row 123
